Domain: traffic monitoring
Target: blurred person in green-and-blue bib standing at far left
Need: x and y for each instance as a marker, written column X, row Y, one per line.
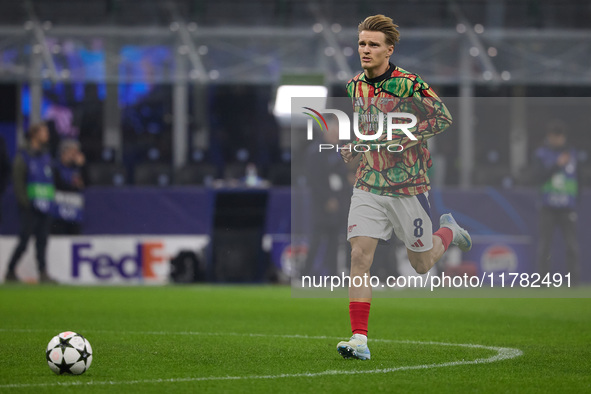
column 33, row 186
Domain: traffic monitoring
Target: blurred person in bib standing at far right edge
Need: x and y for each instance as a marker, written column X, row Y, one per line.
column 557, row 172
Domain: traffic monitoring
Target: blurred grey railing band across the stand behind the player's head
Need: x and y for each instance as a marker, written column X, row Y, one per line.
column 263, row 54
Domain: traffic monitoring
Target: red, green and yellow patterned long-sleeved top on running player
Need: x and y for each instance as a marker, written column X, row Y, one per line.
column 386, row 172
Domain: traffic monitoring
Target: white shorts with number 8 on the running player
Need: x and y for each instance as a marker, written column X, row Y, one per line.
column 375, row 216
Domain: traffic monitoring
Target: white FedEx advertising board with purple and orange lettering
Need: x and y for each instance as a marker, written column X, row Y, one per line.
column 104, row 259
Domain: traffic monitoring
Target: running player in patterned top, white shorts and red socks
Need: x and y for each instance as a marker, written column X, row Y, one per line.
column 391, row 188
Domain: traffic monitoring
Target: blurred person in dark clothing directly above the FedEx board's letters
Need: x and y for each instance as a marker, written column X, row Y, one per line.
column 69, row 184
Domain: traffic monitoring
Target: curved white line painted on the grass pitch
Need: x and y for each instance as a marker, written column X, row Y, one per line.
column 502, row 353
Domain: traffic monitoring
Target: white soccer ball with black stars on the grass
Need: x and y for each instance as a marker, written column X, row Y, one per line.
column 69, row 352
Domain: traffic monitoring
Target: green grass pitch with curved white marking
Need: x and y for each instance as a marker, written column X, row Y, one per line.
column 253, row 339
